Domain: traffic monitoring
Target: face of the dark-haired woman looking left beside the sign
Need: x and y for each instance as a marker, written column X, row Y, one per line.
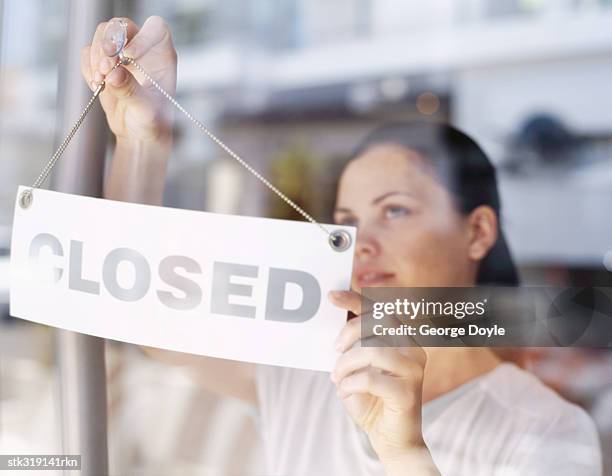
column 409, row 231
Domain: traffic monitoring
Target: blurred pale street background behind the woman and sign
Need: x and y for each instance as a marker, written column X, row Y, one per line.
column 292, row 85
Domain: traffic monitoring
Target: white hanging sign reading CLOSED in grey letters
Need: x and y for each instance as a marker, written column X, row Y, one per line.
column 234, row 287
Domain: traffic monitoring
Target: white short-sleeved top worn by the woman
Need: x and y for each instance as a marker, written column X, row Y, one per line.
column 504, row 423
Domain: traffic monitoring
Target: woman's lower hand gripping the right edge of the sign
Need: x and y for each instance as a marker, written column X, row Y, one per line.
column 381, row 389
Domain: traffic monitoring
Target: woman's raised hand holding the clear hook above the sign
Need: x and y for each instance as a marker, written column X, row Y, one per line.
column 135, row 110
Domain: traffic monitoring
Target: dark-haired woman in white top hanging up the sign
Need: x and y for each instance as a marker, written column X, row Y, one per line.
column 425, row 200
